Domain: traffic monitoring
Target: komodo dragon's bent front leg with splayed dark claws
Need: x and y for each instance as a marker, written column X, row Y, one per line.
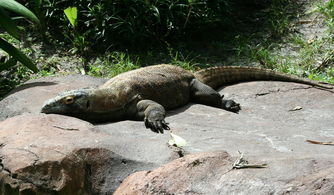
column 153, row 115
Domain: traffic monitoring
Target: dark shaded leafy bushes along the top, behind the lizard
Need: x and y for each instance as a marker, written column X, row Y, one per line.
column 135, row 23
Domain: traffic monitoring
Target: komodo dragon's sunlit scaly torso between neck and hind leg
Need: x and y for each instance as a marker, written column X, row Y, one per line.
column 165, row 84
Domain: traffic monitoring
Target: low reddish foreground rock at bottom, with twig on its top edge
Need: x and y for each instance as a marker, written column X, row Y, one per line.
column 212, row 173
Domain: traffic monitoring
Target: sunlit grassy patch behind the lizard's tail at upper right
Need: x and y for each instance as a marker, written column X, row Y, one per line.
column 312, row 58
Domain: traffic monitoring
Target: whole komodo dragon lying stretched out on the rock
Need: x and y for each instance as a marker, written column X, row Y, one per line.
column 145, row 93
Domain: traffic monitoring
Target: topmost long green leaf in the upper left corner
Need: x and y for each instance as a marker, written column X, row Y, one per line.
column 19, row 9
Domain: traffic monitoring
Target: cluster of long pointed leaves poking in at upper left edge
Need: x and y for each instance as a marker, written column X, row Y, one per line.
column 8, row 25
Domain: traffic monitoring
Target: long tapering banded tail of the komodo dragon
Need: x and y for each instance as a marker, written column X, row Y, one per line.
column 223, row 75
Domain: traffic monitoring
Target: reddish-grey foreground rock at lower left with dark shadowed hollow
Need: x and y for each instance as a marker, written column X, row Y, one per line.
column 48, row 154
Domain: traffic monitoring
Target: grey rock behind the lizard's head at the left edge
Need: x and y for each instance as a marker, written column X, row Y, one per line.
column 30, row 96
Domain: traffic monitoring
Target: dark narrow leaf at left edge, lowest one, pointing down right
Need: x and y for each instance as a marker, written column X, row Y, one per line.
column 17, row 54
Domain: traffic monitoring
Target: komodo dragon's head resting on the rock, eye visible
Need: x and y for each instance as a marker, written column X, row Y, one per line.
column 68, row 103
